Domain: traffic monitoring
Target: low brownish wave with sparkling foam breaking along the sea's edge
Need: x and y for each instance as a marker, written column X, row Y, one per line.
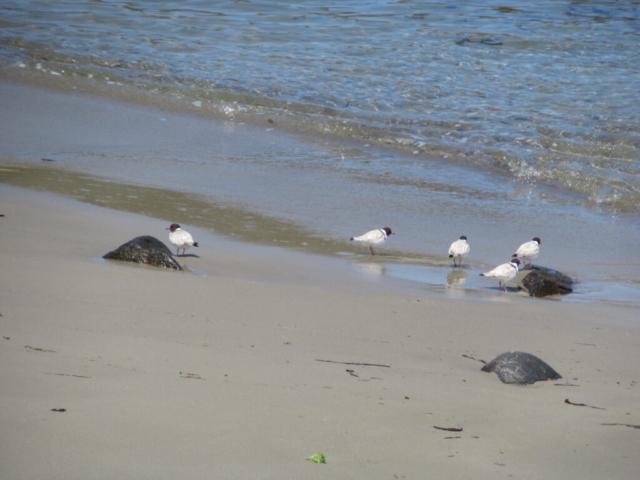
column 602, row 167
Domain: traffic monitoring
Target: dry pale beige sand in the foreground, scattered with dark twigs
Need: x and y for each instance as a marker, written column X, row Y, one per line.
column 166, row 375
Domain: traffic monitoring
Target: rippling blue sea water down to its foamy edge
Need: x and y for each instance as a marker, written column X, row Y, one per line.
column 554, row 102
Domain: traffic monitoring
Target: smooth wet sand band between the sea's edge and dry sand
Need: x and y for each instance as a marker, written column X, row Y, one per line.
column 165, row 157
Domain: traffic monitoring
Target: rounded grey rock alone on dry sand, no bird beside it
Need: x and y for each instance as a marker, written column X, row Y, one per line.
column 520, row 368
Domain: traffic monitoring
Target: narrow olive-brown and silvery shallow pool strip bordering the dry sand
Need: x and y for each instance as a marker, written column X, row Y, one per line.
column 390, row 269
